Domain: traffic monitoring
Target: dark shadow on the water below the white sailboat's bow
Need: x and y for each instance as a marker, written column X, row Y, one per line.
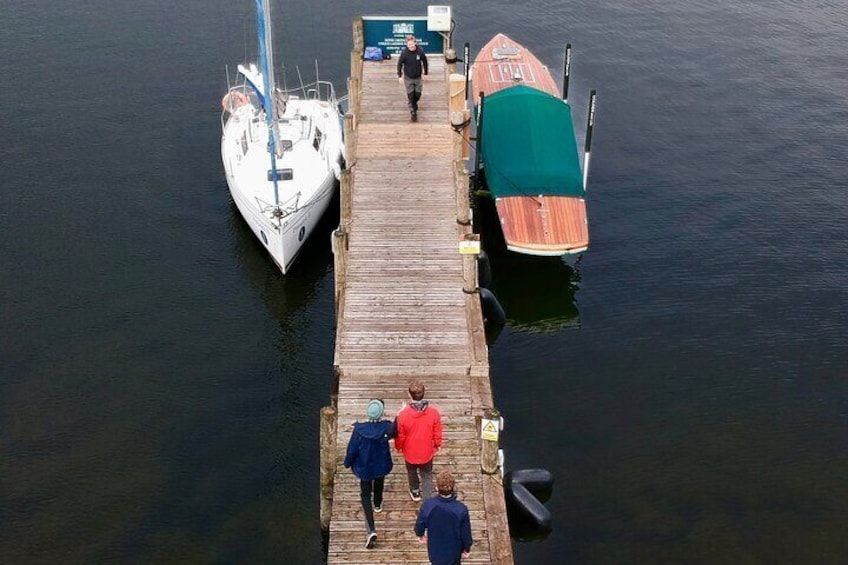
column 285, row 294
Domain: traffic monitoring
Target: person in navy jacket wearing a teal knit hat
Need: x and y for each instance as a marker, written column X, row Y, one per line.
column 369, row 454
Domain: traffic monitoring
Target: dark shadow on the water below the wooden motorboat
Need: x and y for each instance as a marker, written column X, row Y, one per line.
column 537, row 293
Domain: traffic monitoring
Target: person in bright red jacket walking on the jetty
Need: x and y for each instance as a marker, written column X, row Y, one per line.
column 419, row 437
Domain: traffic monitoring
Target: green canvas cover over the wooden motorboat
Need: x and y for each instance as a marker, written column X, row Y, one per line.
column 528, row 145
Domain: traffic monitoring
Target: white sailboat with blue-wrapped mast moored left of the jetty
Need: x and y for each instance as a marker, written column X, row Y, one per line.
column 282, row 153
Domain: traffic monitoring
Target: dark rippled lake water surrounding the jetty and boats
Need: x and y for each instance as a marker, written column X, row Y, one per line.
column 161, row 383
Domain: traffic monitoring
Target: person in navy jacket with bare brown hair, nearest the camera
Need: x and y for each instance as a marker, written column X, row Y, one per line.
column 446, row 523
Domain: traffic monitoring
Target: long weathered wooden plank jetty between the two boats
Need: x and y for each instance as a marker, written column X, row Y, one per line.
column 407, row 308
